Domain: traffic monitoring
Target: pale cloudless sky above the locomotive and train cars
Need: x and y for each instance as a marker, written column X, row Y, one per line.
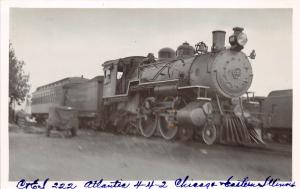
column 59, row 43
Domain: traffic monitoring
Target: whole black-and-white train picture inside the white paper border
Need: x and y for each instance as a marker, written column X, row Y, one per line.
column 150, row 93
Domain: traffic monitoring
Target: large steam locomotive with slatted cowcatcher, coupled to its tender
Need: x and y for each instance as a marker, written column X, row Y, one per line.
column 183, row 92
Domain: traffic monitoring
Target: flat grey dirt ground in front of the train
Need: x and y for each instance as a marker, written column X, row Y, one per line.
column 96, row 155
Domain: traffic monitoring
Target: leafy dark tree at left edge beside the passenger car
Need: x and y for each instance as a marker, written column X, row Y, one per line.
column 18, row 80
